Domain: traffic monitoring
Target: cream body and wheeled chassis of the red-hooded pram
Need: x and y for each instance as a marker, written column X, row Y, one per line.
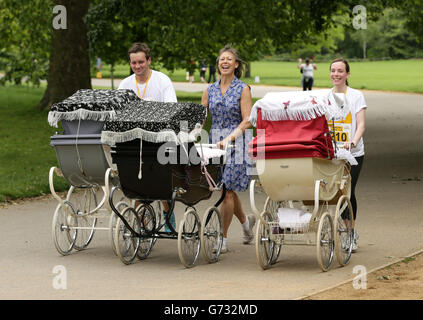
column 325, row 194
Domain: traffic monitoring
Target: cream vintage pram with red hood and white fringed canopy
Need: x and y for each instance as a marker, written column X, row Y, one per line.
column 307, row 186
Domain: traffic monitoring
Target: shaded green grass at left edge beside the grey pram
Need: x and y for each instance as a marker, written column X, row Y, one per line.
column 25, row 152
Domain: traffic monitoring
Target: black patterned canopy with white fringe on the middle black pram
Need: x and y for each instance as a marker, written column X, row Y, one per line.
column 155, row 122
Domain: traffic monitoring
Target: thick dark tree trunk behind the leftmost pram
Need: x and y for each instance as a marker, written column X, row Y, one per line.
column 69, row 68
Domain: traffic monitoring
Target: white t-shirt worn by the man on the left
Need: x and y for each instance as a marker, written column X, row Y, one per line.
column 159, row 87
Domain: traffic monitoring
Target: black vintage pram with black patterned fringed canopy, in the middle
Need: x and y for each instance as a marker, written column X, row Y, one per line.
column 156, row 158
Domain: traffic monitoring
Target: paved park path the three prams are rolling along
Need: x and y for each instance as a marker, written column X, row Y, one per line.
column 390, row 196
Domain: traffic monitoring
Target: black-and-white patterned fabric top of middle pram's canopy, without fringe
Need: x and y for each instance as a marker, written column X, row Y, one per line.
column 158, row 116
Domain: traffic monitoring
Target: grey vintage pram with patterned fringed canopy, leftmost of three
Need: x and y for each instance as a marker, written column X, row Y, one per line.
column 85, row 163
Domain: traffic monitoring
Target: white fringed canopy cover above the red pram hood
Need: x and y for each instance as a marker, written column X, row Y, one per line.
column 300, row 105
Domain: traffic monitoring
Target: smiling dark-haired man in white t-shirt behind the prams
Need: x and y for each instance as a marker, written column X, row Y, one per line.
column 150, row 85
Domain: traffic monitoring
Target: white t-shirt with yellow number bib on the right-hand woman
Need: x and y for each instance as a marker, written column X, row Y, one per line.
column 345, row 128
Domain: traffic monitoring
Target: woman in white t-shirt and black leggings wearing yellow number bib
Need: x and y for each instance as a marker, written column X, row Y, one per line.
column 350, row 129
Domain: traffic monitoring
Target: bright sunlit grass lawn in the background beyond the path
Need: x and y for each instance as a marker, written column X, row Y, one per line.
column 393, row 75
